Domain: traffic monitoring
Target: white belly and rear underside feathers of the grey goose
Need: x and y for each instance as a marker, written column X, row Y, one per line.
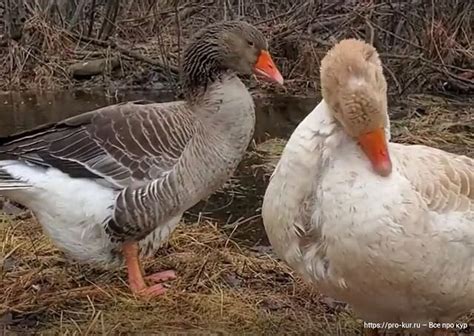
column 73, row 213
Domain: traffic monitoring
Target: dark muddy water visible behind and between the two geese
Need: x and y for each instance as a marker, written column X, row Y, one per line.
column 240, row 203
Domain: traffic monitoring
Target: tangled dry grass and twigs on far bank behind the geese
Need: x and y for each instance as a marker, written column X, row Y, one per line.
column 425, row 45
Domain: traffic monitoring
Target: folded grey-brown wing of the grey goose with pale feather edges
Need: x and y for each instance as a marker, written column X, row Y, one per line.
column 123, row 144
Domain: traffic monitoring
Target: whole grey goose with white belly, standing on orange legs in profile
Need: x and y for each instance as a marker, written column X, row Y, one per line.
column 109, row 186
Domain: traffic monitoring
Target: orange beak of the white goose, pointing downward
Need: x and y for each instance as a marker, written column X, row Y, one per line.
column 374, row 146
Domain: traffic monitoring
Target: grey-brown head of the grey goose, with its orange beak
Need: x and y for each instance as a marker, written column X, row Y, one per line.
column 235, row 46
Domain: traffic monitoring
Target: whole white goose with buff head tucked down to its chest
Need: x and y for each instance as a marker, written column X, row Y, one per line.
column 386, row 227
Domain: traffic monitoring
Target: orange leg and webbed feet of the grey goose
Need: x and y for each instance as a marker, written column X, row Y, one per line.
column 136, row 281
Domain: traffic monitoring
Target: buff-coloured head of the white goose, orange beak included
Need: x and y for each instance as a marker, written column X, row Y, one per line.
column 355, row 89
